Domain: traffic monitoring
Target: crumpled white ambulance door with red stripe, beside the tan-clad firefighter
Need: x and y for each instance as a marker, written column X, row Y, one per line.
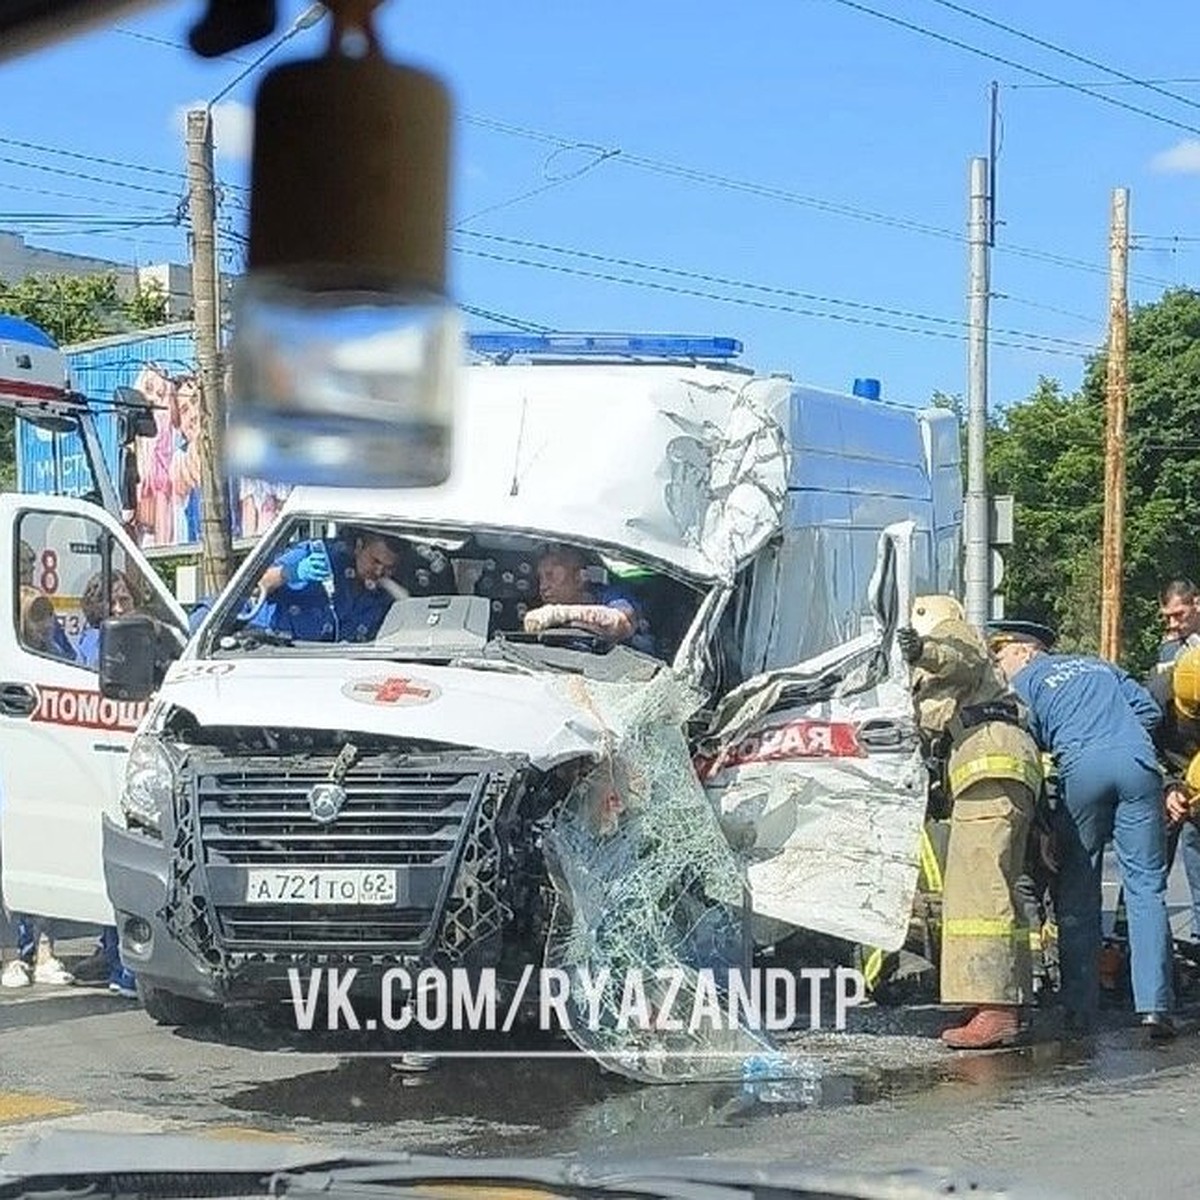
column 819, row 777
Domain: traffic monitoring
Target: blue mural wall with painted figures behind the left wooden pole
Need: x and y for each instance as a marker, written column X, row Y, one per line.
column 159, row 478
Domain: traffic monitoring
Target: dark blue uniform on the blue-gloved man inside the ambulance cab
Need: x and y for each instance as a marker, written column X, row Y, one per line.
column 310, row 615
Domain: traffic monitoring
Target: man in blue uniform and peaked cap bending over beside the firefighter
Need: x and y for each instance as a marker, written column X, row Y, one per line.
column 1097, row 724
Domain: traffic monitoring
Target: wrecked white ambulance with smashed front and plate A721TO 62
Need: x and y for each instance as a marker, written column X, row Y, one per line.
column 459, row 791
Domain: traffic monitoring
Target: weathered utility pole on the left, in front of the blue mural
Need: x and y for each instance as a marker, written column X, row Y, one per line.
column 217, row 544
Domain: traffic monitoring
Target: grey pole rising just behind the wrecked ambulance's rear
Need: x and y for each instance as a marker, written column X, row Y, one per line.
column 977, row 599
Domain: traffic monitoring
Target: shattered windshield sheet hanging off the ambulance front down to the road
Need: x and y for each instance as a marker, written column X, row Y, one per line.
column 649, row 891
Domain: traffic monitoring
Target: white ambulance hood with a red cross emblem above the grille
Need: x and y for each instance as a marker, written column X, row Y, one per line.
column 490, row 710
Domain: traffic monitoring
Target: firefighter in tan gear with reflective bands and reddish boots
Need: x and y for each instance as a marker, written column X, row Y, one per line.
column 993, row 777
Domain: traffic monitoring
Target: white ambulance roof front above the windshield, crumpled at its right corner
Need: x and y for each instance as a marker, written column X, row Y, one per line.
column 683, row 465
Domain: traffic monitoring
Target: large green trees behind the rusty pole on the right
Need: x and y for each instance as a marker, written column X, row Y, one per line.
column 1049, row 453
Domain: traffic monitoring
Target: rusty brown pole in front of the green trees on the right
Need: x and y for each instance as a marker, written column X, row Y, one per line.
column 1113, row 563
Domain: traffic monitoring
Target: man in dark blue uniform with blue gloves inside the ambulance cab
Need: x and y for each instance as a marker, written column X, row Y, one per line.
column 331, row 591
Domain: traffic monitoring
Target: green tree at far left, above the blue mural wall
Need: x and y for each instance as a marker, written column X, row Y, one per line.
column 73, row 309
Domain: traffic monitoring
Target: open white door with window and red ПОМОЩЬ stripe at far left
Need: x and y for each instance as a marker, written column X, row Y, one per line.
column 63, row 746
